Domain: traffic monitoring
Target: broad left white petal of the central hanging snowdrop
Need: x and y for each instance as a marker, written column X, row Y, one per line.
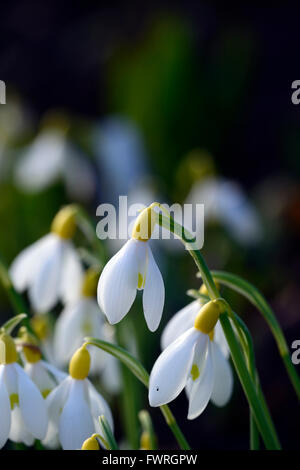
column 118, row 283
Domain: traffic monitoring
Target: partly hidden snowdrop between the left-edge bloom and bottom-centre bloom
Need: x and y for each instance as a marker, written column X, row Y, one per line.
column 44, row 375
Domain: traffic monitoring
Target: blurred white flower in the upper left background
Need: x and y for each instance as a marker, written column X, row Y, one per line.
column 51, row 157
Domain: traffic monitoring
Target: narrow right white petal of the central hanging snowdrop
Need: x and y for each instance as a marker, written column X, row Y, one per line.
column 154, row 293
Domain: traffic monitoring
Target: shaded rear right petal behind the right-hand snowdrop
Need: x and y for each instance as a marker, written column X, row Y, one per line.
column 223, row 382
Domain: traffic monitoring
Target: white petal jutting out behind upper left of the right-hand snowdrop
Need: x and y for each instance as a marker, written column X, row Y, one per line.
column 179, row 323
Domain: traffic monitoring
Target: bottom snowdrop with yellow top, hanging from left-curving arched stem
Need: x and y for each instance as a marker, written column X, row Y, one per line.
column 75, row 405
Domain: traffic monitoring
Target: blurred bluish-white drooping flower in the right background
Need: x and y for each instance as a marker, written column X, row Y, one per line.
column 225, row 202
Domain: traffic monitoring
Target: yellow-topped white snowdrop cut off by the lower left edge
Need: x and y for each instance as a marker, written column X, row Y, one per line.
column 23, row 412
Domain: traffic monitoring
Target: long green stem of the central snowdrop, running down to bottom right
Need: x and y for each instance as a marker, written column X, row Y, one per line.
column 262, row 421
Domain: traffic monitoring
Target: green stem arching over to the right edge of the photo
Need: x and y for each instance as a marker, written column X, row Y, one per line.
column 256, row 298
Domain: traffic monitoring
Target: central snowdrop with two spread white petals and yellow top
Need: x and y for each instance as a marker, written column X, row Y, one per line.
column 133, row 268
